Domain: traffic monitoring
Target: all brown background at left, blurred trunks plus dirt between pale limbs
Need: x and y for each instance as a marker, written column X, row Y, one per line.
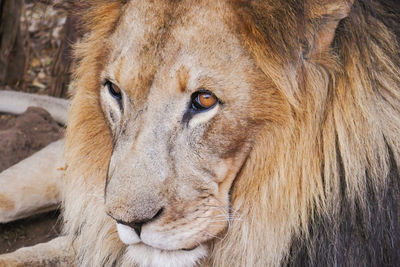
column 36, row 37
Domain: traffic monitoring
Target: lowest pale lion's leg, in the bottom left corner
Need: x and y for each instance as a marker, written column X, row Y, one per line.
column 57, row 252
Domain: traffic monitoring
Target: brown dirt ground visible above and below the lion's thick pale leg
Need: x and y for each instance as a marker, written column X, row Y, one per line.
column 20, row 137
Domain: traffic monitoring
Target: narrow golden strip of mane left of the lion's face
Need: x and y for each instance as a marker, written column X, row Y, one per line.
column 88, row 137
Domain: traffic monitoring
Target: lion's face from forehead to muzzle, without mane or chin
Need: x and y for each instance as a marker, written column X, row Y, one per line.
column 177, row 95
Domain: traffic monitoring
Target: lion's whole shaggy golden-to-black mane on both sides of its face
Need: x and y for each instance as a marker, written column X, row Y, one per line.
column 320, row 185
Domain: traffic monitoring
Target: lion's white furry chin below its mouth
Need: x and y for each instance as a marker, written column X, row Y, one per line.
column 144, row 255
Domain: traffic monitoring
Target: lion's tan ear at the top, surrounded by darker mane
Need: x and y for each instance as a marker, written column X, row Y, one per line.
column 325, row 16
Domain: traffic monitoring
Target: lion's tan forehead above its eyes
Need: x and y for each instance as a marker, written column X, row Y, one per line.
column 151, row 43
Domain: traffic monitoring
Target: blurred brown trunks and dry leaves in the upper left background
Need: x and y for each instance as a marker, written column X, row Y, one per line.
column 35, row 45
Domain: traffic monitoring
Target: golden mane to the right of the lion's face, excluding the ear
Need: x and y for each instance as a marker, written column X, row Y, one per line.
column 339, row 146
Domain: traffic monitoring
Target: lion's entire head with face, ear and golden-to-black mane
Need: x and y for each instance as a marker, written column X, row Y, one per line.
column 235, row 133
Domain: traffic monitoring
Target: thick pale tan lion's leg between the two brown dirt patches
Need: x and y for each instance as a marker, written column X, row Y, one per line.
column 33, row 185
